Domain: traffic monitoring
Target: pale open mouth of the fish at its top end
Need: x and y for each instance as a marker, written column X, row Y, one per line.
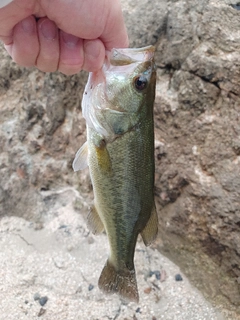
column 126, row 56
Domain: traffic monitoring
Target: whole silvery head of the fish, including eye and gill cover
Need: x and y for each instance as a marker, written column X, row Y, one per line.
column 122, row 93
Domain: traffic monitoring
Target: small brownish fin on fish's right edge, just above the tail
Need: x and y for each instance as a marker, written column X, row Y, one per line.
column 150, row 231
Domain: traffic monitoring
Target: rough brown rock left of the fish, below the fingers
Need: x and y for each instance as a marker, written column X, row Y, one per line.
column 41, row 129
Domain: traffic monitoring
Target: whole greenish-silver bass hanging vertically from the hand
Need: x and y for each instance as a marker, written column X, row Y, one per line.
column 117, row 105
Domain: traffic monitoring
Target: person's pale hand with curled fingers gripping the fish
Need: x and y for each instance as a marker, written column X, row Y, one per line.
column 64, row 35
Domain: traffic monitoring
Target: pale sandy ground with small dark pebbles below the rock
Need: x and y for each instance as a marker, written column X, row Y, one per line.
column 58, row 265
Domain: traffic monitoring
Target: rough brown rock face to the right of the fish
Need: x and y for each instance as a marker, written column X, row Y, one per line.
column 198, row 130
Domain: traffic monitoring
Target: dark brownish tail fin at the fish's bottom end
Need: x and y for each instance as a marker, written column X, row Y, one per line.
column 122, row 282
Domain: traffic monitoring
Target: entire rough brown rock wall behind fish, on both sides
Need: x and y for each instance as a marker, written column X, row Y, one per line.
column 197, row 114
